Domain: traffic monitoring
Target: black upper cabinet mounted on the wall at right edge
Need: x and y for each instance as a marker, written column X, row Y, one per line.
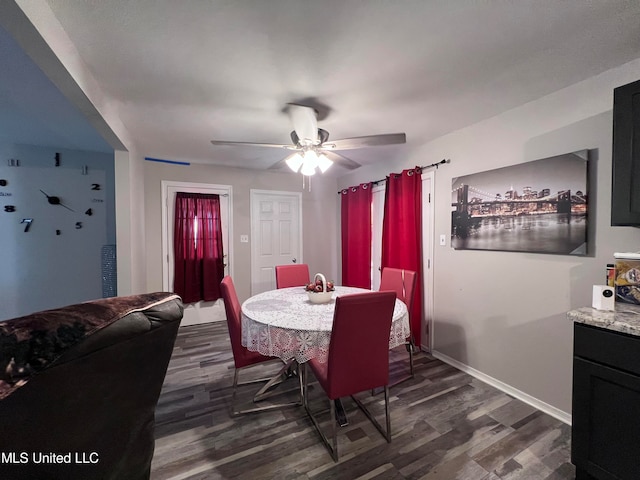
column 625, row 195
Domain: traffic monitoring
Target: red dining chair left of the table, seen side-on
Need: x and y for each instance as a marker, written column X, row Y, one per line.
column 242, row 357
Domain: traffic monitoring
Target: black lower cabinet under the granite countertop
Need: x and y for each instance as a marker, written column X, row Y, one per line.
column 605, row 442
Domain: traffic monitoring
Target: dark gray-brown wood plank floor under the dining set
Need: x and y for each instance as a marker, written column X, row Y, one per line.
column 445, row 425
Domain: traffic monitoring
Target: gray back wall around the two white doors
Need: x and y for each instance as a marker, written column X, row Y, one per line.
column 319, row 221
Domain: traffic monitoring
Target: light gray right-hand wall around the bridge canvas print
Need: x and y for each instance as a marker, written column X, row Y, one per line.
column 503, row 314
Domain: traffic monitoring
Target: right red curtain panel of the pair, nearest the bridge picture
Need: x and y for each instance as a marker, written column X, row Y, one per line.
column 402, row 234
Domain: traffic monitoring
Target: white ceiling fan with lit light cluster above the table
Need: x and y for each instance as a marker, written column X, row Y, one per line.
column 311, row 146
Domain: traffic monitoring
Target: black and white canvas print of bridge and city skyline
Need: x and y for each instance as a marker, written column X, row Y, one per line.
column 538, row 207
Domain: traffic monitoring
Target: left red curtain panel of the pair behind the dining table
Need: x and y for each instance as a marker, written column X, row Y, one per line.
column 356, row 235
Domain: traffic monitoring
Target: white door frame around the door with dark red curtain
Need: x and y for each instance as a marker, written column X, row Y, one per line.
column 166, row 242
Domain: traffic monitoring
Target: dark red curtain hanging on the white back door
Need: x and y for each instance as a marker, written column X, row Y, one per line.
column 197, row 244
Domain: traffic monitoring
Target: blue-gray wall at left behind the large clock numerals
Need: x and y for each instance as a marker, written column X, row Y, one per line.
column 42, row 270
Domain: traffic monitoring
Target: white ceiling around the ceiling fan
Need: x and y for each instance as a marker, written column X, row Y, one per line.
column 185, row 72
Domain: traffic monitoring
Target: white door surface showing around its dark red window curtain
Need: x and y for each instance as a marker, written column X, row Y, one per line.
column 199, row 312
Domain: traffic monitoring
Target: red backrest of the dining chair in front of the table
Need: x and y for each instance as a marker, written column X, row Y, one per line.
column 359, row 349
